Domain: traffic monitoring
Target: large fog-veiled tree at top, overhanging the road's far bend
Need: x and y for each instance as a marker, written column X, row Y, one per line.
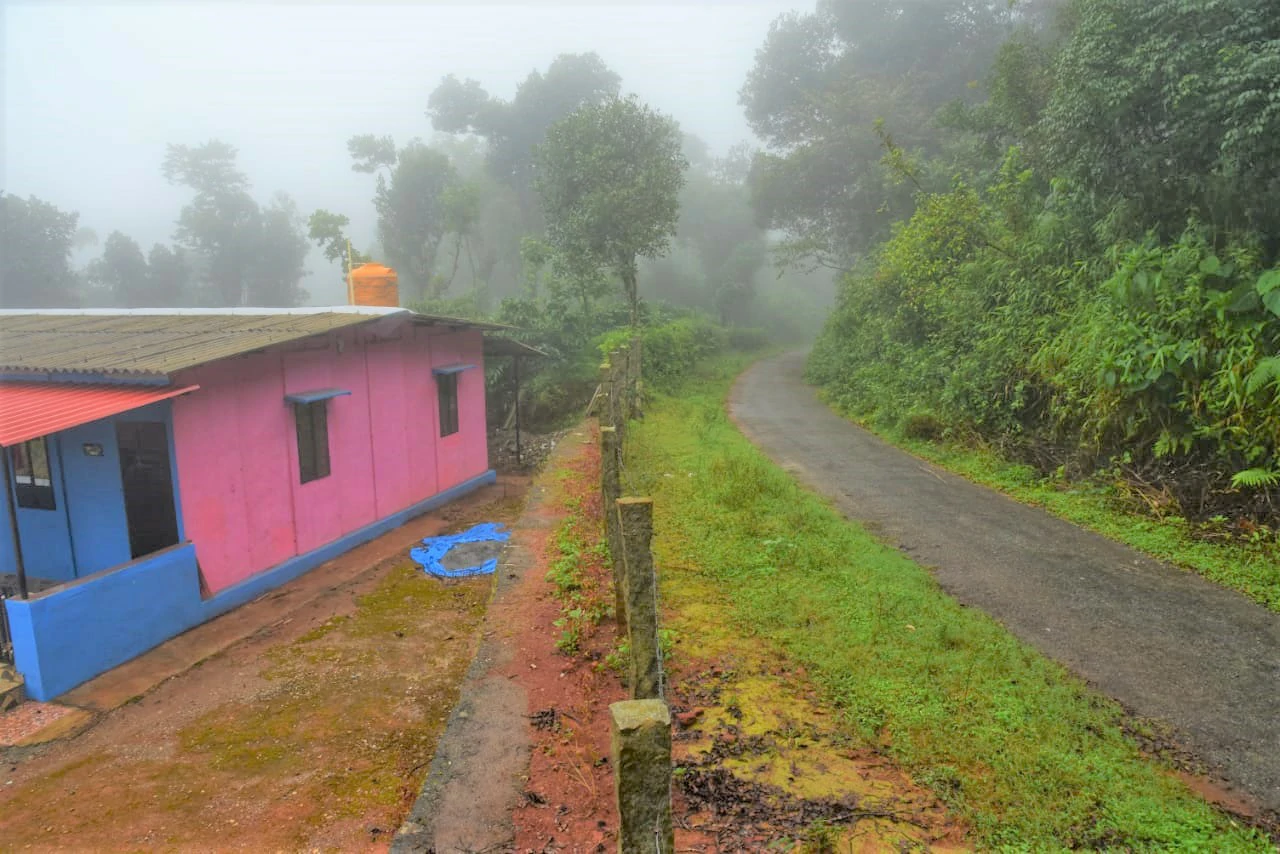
column 824, row 81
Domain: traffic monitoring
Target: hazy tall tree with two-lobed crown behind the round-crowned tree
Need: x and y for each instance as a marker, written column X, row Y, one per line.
column 515, row 129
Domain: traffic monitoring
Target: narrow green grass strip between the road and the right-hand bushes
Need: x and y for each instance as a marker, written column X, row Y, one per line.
column 1252, row 569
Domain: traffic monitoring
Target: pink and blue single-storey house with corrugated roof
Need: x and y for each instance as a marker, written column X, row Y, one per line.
column 164, row 467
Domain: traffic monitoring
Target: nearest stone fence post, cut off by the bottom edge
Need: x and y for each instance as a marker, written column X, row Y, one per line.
column 641, row 750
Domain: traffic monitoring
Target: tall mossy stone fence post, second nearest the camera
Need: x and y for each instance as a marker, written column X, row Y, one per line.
column 636, row 517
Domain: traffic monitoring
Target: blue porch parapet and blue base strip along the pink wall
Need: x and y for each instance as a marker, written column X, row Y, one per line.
column 74, row 633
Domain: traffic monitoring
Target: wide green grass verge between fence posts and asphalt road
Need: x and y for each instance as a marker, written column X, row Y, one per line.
column 1012, row 742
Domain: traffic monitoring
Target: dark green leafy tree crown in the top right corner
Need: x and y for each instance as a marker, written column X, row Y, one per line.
column 1172, row 109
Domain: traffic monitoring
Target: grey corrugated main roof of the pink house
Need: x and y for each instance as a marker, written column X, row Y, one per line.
column 156, row 344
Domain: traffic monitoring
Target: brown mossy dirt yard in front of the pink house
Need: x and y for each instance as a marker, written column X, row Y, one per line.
column 313, row 730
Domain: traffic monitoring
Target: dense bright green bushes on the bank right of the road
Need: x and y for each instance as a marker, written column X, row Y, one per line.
column 1160, row 358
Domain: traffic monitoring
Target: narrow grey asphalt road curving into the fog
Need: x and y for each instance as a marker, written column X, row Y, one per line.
column 1162, row 641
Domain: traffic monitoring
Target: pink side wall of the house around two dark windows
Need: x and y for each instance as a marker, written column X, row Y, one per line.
column 243, row 503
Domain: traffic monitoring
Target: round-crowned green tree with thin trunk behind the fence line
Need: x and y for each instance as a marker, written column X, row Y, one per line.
column 610, row 177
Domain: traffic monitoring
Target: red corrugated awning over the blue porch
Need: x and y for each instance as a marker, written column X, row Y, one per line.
column 31, row 410
